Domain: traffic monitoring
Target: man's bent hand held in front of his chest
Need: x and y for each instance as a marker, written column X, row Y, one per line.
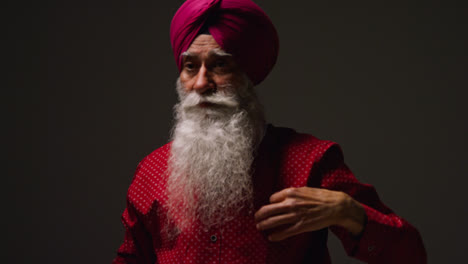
column 296, row 210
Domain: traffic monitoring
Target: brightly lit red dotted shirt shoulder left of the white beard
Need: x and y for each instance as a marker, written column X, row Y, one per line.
column 148, row 182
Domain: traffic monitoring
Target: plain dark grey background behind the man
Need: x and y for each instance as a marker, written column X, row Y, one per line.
column 90, row 88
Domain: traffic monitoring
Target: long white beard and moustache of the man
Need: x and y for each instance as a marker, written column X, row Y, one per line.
column 210, row 179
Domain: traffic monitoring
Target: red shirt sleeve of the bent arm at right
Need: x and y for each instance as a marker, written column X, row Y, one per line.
column 386, row 238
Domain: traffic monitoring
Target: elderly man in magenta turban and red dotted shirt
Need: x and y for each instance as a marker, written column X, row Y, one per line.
column 231, row 189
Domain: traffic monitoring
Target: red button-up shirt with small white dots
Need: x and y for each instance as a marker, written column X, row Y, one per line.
column 285, row 159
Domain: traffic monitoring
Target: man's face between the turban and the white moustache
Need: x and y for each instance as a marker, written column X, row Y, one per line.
column 207, row 68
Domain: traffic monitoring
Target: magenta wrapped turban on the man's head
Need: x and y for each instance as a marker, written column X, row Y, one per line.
column 240, row 27
